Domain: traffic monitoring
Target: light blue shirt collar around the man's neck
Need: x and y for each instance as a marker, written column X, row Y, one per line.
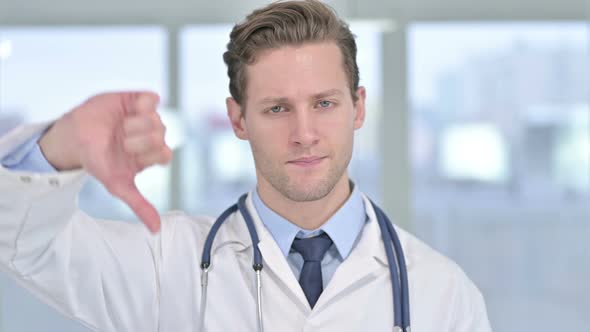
column 343, row 227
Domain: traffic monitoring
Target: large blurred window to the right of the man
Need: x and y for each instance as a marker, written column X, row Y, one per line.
column 501, row 159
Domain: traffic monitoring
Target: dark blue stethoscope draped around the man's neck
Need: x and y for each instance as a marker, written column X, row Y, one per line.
column 394, row 252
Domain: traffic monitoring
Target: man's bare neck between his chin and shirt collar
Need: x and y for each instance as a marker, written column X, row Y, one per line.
column 308, row 215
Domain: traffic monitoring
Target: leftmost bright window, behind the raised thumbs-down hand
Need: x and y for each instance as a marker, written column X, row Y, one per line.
column 44, row 72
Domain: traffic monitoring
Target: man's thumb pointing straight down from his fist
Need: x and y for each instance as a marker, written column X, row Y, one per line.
column 143, row 209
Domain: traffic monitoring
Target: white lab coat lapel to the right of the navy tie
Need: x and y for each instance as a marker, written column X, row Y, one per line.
column 365, row 262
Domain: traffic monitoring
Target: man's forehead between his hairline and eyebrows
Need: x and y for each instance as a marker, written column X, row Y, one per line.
column 296, row 72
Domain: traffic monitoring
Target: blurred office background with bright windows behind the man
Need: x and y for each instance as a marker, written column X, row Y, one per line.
column 477, row 137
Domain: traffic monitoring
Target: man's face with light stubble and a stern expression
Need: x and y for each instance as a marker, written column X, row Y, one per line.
column 299, row 120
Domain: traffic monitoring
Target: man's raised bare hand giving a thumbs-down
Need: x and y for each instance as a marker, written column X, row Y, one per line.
column 113, row 136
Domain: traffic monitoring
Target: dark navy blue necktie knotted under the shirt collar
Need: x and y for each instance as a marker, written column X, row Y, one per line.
column 313, row 250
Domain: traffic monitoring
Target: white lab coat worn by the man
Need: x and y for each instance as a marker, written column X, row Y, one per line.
column 115, row 276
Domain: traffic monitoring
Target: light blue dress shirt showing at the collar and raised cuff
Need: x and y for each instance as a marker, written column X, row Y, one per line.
column 344, row 227
